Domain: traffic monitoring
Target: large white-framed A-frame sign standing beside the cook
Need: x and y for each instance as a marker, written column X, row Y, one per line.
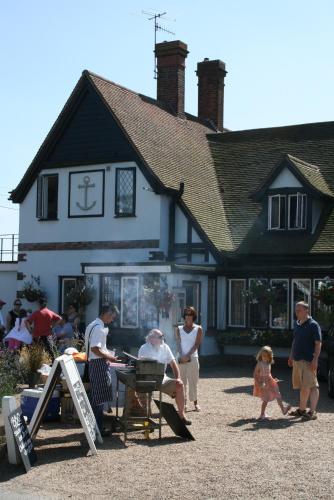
column 66, row 365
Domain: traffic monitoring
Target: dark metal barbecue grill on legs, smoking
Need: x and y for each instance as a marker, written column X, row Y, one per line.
column 144, row 377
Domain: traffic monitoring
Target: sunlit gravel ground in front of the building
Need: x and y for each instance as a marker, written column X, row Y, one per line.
column 233, row 456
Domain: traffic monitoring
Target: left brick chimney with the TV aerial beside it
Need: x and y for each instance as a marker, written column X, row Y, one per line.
column 171, row 58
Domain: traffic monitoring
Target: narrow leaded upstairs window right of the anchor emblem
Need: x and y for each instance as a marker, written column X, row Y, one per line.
column 125, row 199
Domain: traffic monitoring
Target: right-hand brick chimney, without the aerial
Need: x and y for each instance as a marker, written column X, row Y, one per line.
column 211, row 76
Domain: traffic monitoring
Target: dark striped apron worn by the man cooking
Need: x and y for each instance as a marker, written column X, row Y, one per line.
column 100, row 380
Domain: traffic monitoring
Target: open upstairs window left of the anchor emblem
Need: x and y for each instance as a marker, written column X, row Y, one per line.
column 47, row 196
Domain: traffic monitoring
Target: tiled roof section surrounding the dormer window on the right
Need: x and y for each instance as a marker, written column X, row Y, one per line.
column 245, row 159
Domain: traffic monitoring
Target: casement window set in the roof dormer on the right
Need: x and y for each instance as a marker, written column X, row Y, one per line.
column 287, row 211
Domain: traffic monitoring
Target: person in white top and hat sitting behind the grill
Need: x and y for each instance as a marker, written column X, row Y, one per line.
column 155, row 348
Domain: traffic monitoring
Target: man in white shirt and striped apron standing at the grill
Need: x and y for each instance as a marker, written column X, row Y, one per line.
column 99, row 359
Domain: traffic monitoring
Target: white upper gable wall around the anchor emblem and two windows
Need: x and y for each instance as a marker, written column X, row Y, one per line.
column 146, row 224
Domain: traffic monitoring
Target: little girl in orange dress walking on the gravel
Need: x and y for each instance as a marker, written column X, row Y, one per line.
column 265, row 386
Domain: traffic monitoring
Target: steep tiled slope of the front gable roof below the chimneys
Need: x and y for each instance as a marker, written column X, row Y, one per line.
column 176, row 150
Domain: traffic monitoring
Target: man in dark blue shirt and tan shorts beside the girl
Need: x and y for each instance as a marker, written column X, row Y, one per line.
column 303, row 358
